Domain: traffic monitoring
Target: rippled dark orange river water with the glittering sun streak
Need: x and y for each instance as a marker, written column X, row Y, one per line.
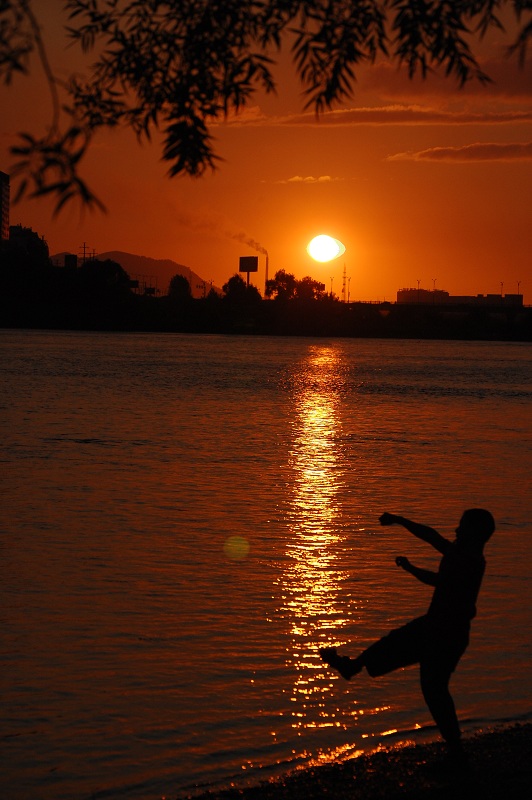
column 186, row 519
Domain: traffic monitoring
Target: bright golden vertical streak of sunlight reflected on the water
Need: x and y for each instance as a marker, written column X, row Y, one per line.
column 311, row 581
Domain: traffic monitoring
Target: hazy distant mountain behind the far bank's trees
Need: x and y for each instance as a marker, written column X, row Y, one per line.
column 155, row 272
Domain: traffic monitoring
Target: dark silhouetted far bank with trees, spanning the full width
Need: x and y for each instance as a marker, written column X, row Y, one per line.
column 99, row 295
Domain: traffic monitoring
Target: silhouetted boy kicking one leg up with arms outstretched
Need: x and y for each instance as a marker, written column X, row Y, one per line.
column 437, row 640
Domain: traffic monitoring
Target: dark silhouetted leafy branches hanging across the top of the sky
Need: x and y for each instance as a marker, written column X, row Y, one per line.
column 181, row 66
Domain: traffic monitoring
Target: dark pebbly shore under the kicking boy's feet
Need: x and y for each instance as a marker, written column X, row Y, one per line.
column 499, row 768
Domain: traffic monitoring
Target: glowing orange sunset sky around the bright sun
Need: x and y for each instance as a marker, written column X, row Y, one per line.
column 420, row 181
